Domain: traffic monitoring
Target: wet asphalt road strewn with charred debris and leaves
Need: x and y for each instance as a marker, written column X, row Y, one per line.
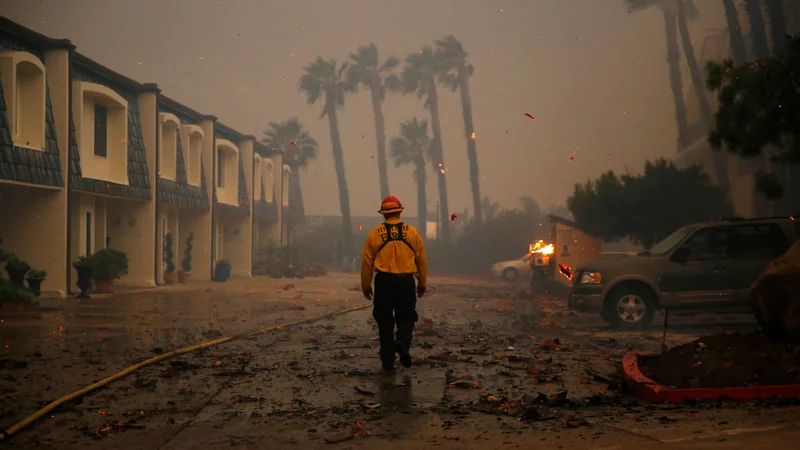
column 491, row 370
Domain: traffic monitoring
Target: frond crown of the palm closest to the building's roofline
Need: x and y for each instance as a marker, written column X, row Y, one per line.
column 293, row 140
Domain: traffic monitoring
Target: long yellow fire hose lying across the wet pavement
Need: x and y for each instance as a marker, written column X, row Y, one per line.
column 4, row 435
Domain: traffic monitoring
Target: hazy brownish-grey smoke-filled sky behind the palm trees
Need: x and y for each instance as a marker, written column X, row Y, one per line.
column 593, row 76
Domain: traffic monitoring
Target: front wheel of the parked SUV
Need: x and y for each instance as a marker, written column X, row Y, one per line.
column 629, row 307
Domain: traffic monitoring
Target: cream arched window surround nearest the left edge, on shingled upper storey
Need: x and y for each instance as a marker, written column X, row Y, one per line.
column 25, row 91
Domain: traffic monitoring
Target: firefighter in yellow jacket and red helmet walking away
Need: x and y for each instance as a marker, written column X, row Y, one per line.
column 395, row 253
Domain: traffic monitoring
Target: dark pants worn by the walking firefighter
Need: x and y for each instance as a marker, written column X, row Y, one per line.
column 395, row 302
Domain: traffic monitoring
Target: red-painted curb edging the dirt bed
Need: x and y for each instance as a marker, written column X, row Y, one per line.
column 648, row 389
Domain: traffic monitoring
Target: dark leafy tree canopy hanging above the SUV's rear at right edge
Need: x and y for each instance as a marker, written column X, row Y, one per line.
column 759, row 110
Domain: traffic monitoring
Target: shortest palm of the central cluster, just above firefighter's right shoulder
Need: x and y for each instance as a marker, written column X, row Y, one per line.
column 413, row 147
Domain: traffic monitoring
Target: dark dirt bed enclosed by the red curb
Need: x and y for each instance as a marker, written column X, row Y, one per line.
column 726, row 360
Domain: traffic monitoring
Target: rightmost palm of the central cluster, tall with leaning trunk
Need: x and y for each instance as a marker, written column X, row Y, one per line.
column 457, row 74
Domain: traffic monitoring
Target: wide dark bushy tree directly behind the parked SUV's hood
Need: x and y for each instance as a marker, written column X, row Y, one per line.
column 647, row 207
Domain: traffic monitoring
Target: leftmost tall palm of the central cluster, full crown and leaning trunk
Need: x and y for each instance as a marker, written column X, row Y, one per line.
column 323, row 80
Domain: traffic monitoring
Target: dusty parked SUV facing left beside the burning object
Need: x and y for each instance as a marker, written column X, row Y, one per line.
column 707, row 265
